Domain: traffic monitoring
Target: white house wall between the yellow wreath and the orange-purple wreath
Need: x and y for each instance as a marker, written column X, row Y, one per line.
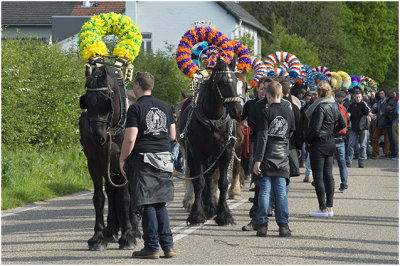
column 168, row 21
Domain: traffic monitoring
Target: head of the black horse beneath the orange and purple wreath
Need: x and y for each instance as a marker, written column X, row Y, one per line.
column 229, row 89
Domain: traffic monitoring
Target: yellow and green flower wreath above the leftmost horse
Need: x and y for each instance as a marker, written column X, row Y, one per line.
column 91, row 36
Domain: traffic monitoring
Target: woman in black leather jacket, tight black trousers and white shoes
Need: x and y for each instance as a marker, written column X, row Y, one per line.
column 322, row 115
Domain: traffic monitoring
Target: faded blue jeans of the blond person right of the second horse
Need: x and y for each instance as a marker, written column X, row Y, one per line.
column 282, row 208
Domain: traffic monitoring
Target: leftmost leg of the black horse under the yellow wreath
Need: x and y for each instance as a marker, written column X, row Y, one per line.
column 97, row 241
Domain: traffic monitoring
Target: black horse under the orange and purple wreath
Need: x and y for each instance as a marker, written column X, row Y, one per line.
column 209, row 131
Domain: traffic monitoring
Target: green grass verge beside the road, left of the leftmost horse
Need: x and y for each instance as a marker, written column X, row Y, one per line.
column 31, row 175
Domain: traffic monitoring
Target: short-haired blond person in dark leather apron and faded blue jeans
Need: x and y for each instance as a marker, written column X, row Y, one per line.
column 275, row 124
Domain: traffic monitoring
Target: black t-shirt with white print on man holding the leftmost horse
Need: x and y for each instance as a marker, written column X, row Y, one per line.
column 153, row 119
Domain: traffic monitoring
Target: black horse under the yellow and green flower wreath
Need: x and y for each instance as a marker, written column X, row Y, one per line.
column 102, row 131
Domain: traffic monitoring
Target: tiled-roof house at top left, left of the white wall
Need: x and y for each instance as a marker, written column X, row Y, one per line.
column 52, row 20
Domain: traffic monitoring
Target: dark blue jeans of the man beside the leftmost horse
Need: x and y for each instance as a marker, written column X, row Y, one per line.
column 156, row 229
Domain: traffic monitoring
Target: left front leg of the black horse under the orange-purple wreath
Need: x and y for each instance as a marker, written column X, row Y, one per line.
column 197, row 215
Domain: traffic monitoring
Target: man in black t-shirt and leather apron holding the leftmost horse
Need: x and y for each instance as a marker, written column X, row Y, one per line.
column 147, row 163
